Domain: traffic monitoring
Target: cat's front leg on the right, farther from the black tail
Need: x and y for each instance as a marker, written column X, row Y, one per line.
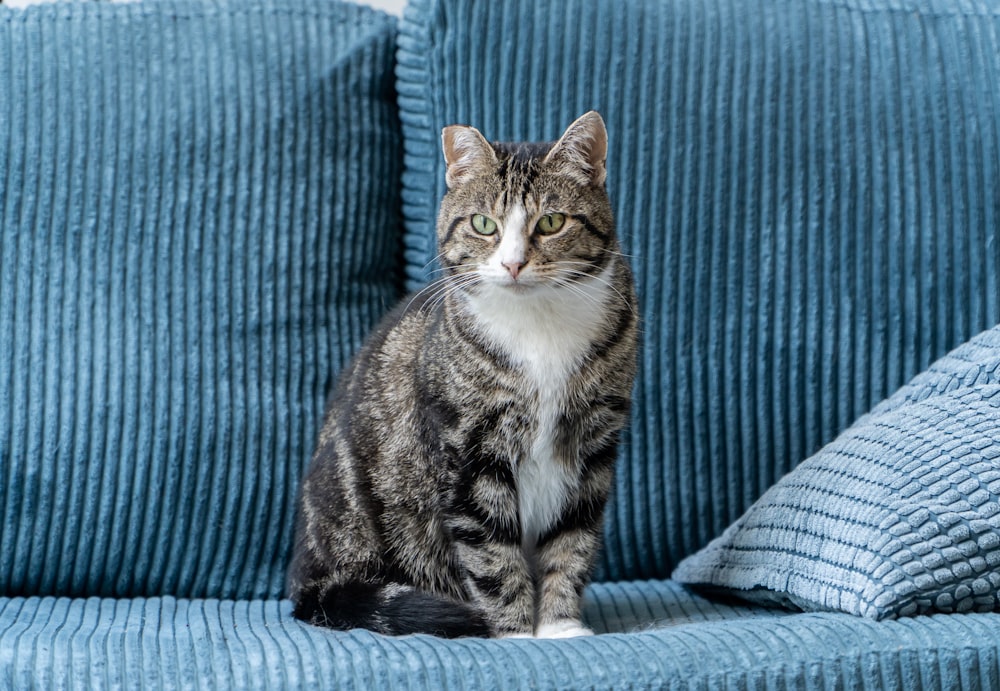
column 565, row 554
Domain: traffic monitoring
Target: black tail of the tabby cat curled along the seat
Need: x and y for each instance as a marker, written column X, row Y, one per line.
column 392, row 609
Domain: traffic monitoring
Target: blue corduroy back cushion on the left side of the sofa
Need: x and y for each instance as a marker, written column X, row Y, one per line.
column 198, row 225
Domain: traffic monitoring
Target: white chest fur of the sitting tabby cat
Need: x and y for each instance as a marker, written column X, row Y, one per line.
column 546, row 333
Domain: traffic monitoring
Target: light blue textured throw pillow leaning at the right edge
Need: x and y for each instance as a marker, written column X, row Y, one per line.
column 900, row 515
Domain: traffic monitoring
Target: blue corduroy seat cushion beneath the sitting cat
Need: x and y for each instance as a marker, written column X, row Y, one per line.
column 675, row 639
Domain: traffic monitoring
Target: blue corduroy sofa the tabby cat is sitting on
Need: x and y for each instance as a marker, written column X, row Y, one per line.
column 205, row 205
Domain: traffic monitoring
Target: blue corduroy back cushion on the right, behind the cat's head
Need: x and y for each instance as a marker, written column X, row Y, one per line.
column 807, row 189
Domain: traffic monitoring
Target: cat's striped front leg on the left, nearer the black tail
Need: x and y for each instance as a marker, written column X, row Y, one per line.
column 486, row 530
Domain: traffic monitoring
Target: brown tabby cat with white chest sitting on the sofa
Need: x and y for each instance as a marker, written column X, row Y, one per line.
column 468, row 451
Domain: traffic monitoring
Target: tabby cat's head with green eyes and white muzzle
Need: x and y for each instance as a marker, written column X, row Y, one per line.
column 526, row 216
